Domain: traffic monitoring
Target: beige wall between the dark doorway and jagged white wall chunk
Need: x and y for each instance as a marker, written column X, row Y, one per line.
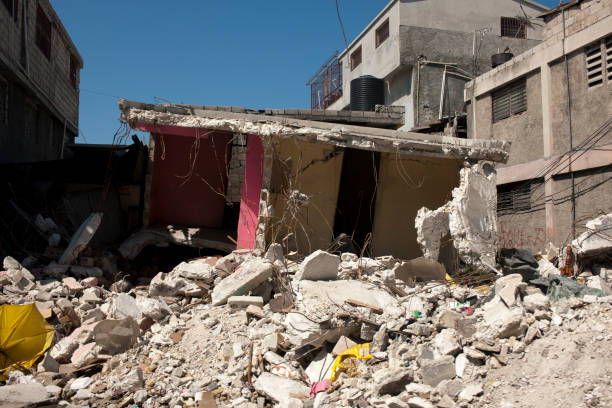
column 405, row 185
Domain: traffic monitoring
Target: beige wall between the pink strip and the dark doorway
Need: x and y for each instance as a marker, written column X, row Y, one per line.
column 319, row 179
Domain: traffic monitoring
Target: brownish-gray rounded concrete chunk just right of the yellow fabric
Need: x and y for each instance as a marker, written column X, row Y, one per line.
column 116, row 336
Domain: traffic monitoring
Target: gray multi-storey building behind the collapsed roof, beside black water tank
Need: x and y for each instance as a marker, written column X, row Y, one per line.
column 426, row 51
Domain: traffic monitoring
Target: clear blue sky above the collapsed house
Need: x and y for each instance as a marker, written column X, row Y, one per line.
column 256, row 54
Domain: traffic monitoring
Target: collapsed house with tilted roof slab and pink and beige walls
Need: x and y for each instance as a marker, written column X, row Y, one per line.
column 306, row 182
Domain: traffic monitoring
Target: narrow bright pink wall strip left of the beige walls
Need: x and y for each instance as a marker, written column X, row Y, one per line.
column 251, row 190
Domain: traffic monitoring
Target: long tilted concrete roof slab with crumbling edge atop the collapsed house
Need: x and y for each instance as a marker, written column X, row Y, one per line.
column 149, row 117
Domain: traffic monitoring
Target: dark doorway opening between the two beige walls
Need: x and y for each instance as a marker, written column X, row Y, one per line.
column 357, row 195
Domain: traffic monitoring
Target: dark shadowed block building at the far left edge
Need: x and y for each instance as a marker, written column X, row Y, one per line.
column 39, row 83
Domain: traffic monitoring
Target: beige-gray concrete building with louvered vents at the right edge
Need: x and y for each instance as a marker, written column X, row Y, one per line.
column 554, row 104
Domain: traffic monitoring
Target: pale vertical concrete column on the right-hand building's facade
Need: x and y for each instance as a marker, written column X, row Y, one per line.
column 547, row 141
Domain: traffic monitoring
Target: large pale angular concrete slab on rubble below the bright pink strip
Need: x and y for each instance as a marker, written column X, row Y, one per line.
column 247, row 277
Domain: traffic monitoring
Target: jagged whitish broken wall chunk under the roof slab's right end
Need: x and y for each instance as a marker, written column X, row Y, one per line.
column 469, row 220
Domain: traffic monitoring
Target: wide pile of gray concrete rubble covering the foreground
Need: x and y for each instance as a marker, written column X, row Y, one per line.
column 255, row 330
